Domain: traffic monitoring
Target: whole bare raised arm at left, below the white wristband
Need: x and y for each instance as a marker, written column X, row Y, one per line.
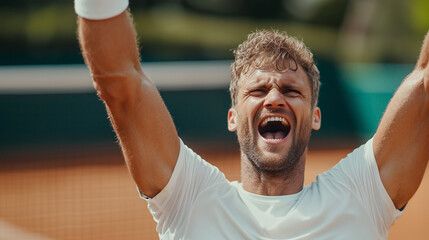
column 138, row 115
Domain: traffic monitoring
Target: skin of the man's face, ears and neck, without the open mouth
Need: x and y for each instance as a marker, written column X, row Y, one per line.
column 273, row 167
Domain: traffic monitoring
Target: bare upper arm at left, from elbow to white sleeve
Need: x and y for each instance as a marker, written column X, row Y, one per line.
column 147, row 136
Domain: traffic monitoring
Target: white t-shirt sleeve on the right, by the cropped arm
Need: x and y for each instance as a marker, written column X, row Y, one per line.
column 359, row 173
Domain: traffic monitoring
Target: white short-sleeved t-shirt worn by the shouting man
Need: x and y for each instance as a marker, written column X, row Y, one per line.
column 347, row 202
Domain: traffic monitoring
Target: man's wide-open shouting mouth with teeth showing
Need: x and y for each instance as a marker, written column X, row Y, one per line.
column 274, row 128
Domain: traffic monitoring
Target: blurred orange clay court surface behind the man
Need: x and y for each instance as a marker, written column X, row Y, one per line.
column 88, row 194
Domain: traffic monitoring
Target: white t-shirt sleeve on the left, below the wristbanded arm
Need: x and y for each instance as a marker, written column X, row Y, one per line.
column 190, row 177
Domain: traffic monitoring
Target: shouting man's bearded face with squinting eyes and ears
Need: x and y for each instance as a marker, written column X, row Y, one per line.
column 273, row 118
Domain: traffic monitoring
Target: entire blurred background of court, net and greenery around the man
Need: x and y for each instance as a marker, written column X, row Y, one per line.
column 61, row 172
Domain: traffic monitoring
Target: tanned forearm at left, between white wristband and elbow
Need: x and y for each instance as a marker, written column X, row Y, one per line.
column 110, row 50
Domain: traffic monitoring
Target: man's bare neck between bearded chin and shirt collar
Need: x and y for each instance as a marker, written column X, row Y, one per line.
column 271, row 183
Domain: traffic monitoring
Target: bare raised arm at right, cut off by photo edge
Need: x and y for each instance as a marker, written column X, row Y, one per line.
column 401, row 143
